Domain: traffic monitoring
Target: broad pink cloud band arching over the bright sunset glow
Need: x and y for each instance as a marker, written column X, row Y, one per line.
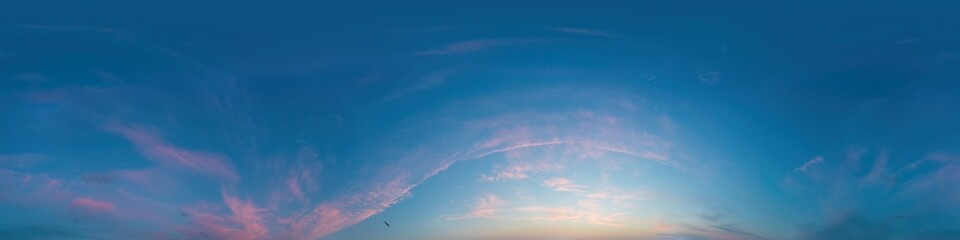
column 479, row 138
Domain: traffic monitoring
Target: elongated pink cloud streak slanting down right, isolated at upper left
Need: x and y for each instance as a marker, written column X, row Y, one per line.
column 156, row 149
